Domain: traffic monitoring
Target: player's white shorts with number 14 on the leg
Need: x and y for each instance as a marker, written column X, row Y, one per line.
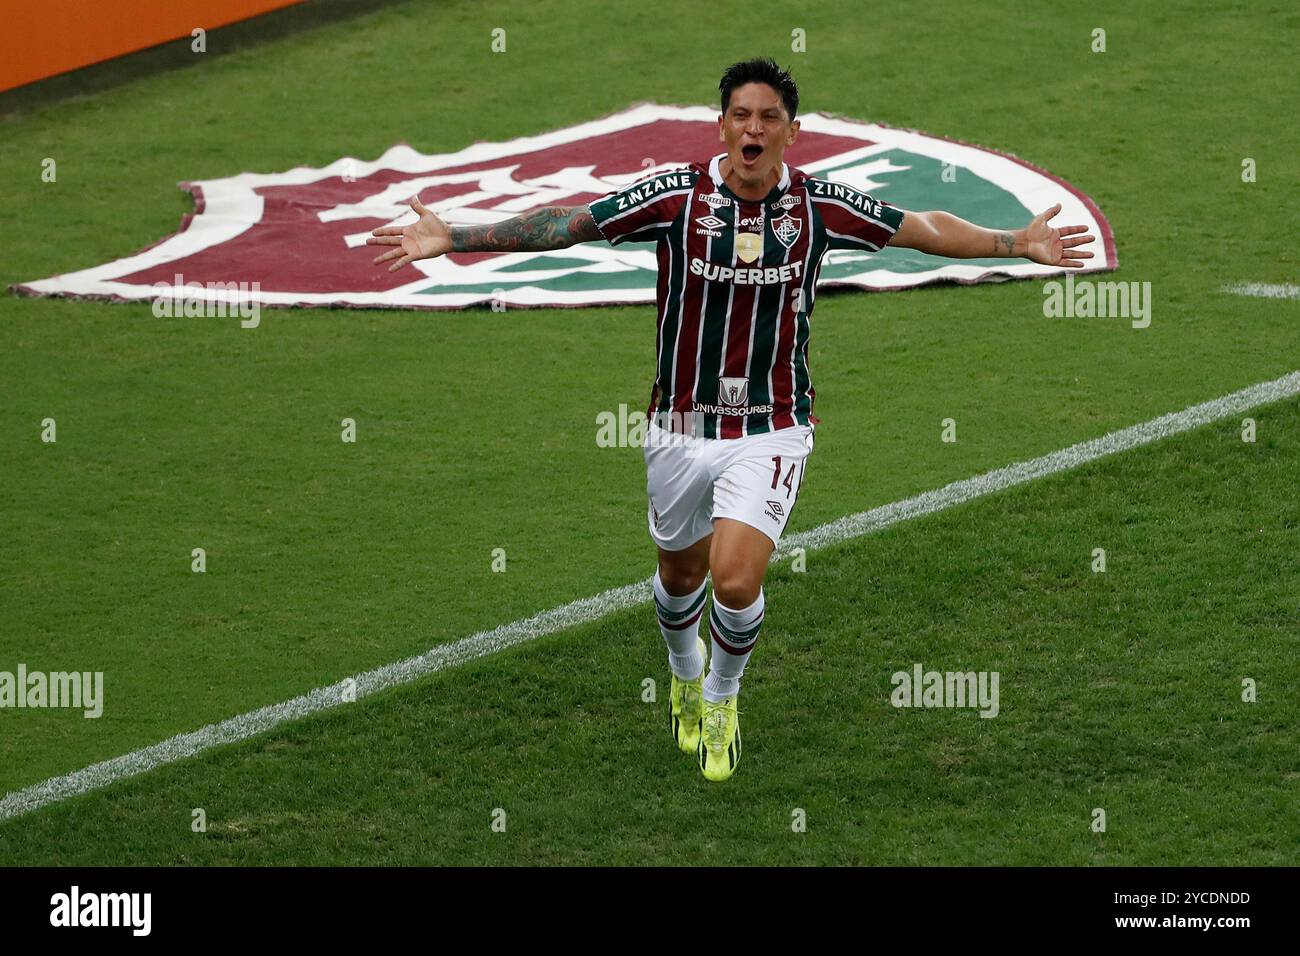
column 691, row 482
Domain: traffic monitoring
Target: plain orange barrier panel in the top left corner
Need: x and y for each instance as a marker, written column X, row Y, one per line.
column 44, row 38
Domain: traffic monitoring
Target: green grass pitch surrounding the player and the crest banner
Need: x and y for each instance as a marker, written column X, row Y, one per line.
column 1120, row 690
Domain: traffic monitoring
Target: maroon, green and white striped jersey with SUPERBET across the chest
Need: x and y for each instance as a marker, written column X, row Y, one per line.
column 738, row 283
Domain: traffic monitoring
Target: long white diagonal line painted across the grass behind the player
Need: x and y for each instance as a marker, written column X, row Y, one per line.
column 484, row 643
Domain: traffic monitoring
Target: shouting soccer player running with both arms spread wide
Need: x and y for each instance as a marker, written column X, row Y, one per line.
column 740, row 243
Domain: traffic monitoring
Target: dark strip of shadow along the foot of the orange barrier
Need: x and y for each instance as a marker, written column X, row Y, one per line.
column 177, row 54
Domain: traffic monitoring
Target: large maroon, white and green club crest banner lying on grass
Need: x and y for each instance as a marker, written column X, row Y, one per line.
column 298, row 239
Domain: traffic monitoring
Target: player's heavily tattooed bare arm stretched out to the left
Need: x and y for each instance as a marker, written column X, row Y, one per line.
column 551, row 227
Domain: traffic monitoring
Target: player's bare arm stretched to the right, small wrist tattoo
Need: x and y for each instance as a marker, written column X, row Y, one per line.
column 943, row 235
